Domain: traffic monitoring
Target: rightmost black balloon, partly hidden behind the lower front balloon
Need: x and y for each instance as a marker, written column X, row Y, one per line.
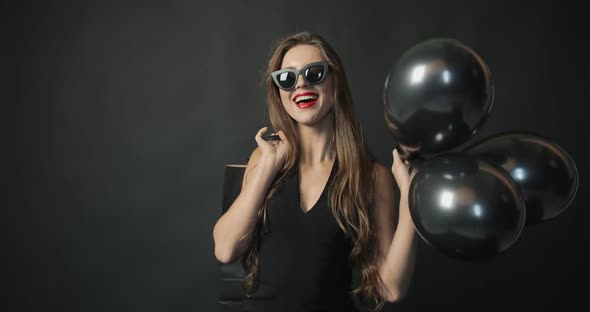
column 545, row 172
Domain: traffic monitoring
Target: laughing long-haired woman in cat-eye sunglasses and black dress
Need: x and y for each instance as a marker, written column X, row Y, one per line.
column 316, row 202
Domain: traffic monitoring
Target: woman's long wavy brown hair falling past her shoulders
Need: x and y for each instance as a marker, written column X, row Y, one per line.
column 351, row 193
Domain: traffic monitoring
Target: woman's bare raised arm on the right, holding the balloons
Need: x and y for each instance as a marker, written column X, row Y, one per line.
column 396, row 246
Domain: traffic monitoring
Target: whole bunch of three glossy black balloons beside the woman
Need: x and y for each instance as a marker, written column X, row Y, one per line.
column 469, row 202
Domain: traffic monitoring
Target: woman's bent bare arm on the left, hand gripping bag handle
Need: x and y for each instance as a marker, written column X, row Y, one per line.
column 233, row 231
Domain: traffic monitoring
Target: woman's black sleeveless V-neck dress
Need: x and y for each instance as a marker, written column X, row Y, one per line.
column 303, row 256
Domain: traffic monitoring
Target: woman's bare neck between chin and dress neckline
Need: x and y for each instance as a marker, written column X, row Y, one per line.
column 316, row 143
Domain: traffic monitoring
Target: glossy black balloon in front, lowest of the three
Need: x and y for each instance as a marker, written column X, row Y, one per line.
column 465, row 207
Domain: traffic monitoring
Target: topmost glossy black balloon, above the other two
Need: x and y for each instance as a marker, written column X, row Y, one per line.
column 437, row 96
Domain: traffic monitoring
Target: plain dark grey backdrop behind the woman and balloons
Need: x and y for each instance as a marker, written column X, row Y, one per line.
column 131, row 109
